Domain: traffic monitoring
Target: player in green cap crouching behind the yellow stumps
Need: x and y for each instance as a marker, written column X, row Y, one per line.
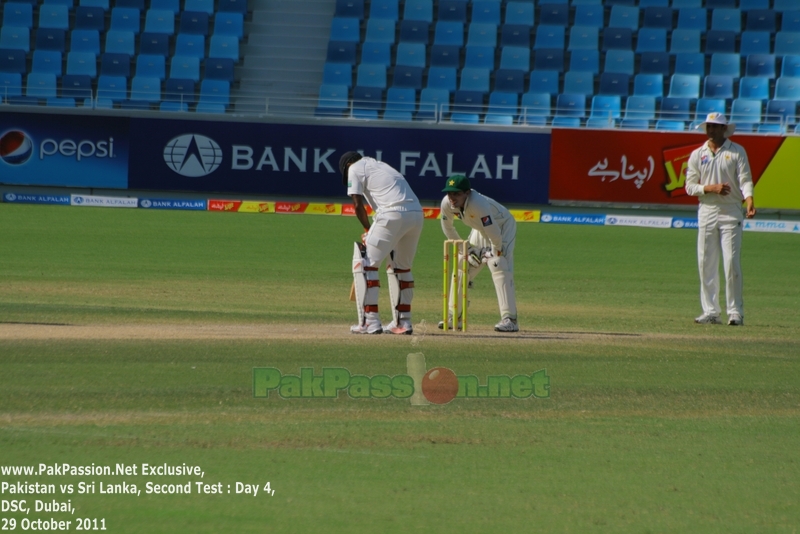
column 491, row 241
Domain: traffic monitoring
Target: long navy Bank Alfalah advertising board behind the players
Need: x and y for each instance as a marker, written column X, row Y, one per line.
column 303, row 160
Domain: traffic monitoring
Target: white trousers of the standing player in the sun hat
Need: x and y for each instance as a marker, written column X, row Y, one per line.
column 720, row 231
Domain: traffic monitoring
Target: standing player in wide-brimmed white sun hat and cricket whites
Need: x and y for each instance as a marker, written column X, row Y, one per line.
column 718, row 173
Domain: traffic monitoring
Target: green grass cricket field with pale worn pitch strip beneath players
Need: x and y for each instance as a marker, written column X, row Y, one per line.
column 130, row 336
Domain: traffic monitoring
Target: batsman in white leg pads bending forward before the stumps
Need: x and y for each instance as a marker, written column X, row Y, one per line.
column 393, row 235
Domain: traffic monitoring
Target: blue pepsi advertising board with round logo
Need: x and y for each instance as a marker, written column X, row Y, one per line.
column 64, row 150
